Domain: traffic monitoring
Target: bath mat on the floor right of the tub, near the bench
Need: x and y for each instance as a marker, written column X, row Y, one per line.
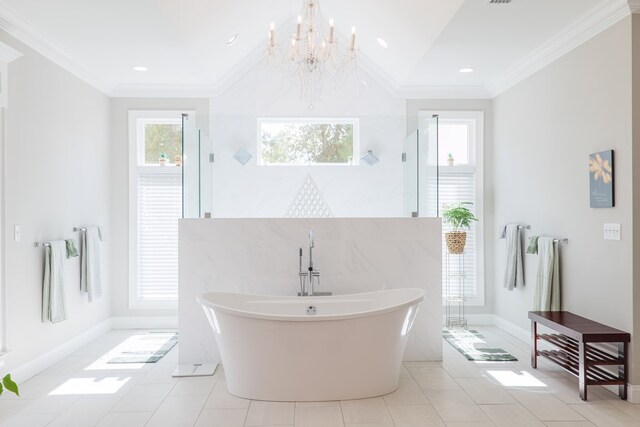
column 474, row 347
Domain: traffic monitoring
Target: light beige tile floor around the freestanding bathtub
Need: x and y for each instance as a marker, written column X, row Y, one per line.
column 82, row 390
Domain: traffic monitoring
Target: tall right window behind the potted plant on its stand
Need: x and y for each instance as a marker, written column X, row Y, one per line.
column 460, row 137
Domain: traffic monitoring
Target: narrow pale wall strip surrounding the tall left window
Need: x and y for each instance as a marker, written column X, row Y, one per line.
column 119, row 164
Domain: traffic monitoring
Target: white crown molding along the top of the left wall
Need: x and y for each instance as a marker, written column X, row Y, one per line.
column 12, row 23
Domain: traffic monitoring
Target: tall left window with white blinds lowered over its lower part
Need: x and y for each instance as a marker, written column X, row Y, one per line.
column 155, row 204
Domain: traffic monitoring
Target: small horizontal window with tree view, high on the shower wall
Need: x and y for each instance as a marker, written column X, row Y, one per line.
column 305, row 142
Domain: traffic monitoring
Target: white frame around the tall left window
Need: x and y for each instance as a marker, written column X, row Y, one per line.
column 136, row 152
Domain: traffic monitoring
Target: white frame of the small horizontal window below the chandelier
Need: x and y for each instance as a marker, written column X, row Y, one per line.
column 355, row 157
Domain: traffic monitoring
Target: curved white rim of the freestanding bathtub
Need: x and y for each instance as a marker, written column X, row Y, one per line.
column 205, row 302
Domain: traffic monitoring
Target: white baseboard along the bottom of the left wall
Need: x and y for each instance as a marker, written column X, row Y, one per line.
column 37, row 365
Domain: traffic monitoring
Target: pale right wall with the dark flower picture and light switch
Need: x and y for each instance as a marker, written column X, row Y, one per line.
column 544, row 130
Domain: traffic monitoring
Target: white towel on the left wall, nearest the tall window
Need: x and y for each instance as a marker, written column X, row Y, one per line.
column 90, row 273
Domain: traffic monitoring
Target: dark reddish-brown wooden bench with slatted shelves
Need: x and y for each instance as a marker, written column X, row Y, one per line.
column 575, row 351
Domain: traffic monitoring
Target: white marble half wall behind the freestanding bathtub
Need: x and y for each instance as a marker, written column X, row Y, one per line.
column 353, row 255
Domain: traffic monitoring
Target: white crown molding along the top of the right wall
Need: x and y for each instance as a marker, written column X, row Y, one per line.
column 589, row 26
